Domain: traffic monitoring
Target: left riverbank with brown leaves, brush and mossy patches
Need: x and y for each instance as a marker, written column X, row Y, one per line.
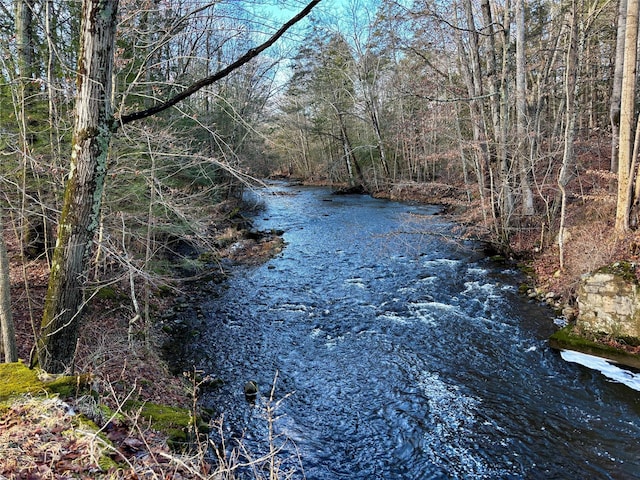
column 137, row 405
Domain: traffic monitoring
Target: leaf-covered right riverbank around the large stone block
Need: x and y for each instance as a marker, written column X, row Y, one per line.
column 590, row 243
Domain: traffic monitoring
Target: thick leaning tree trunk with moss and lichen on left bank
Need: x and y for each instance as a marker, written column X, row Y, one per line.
column 56, row 344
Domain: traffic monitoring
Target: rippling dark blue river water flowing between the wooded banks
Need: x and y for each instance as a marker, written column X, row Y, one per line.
column 401, row 354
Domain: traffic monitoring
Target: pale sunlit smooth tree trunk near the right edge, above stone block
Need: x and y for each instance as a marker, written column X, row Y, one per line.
column 627, row 114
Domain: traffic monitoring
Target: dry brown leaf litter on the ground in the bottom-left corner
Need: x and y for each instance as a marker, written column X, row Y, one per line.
column 43, row 439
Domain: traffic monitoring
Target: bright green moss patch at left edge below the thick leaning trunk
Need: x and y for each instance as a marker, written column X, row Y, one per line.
column 17, row 379
